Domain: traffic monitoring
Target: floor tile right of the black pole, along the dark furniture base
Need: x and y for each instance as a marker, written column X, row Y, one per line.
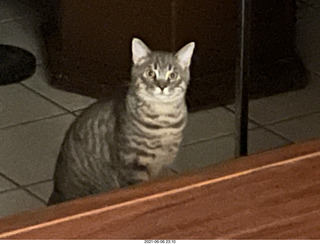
column 288, row 105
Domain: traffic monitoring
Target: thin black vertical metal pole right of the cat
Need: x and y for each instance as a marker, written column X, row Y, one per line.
column 242, row 78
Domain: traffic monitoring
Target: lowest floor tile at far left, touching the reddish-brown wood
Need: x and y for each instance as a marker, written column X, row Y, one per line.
column 17, row 201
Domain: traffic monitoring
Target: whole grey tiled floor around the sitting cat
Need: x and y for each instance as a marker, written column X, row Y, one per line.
column 35, row 116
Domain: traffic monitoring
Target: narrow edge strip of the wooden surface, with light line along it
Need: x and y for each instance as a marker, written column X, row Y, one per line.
column 22, row 223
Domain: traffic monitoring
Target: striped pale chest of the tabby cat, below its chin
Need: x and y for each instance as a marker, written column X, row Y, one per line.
column 158, row 127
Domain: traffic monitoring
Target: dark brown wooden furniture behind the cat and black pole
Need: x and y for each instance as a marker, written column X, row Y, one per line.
column 88, row 44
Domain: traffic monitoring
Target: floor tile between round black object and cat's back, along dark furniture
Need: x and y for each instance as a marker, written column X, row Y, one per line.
column 71, row 101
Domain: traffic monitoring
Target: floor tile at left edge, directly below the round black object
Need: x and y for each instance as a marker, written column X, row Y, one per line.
column 18, row 104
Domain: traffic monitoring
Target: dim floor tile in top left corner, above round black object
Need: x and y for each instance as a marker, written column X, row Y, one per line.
column 13, row 9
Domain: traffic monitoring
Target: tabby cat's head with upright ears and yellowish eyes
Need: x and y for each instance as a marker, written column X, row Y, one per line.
column 160, row 75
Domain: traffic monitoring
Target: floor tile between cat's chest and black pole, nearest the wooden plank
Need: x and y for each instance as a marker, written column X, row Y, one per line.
column 204, row 153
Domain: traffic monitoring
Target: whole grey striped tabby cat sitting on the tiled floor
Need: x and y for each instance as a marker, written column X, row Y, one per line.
column 114, row 144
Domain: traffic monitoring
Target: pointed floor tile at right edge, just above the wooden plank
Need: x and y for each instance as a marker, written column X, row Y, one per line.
column 299, row 129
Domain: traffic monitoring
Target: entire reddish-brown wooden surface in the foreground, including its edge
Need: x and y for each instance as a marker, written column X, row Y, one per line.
column 271, row 195
